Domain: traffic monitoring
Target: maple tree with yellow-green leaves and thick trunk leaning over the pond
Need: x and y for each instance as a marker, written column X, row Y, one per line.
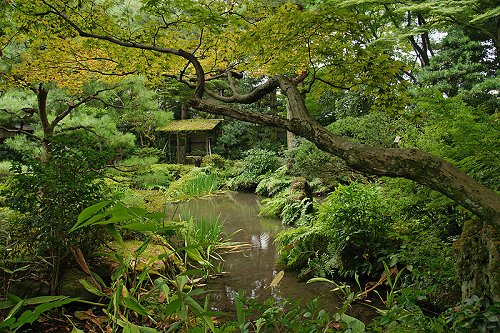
column 299, row 51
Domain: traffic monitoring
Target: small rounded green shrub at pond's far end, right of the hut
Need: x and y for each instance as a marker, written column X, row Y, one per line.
column 256, row 163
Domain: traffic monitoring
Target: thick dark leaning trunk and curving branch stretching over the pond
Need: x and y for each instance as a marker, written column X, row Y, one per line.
column 412, row 164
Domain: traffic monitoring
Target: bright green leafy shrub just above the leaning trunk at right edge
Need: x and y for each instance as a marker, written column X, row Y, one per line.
column 465, row 135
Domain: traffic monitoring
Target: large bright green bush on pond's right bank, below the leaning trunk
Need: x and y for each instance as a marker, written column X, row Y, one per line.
column 348, row 236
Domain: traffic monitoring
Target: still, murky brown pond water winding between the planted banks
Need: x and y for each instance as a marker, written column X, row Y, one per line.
column 253, row 270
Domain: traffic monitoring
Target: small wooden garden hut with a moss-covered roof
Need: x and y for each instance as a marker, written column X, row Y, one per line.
column 189, row 140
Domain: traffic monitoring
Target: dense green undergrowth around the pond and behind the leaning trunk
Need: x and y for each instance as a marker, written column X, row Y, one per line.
column 141, row 270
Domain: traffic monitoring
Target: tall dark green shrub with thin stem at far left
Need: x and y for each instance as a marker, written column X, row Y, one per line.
column 53, row 192
